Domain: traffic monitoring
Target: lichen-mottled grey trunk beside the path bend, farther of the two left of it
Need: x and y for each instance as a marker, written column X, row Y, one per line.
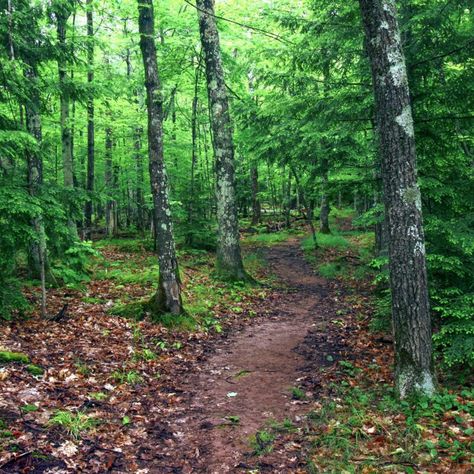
column 229, row 259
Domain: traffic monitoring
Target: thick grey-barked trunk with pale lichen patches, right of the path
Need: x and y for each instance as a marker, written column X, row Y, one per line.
column 408, row 279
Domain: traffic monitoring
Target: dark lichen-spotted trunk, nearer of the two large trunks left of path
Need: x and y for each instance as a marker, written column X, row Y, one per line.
column 168, row 296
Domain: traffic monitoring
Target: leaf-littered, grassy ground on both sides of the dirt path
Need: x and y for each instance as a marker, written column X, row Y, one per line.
column 104, row 385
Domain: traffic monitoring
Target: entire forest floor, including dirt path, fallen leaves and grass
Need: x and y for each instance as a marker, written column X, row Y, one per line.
column 285, row 377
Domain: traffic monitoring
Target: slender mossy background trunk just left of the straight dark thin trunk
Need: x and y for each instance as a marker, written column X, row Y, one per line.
column 63, row 12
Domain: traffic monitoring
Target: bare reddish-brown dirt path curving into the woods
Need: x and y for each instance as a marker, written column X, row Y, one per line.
column 250, row 374
